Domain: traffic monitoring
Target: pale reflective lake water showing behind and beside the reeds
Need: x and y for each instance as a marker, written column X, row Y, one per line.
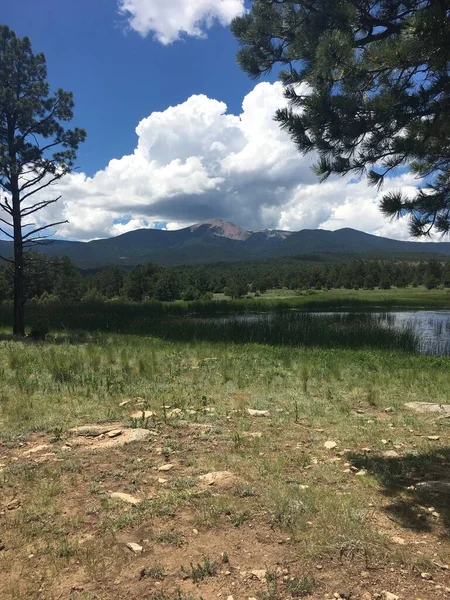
column 432, row 328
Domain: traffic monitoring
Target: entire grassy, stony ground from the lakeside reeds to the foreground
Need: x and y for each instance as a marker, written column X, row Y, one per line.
column 321, row 494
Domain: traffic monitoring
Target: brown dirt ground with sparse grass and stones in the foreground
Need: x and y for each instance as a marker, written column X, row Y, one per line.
column 63, row 535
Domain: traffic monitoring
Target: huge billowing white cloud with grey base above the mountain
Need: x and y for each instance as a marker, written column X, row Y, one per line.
column 196, row 161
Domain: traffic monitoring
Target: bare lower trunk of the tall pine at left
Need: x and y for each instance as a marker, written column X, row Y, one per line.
column 19, row 288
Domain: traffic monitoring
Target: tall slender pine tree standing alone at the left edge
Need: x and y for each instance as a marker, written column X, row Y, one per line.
column 35, row 150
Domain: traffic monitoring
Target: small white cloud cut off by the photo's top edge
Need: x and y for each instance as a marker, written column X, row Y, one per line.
column 168, row 20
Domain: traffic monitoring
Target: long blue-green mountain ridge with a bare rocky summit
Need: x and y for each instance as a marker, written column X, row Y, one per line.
column 216, row 241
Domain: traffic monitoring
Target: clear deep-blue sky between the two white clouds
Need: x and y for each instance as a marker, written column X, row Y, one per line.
column 118, row 76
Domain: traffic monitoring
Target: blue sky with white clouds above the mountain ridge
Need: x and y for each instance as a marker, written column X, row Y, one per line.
column 176, row 133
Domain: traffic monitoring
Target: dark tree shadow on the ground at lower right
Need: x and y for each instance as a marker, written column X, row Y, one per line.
column 404, row 480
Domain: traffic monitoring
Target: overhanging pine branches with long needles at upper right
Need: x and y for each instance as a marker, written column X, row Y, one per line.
column 368, row 85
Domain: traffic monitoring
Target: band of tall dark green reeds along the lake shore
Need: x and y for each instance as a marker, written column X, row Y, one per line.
column 192, row 321
